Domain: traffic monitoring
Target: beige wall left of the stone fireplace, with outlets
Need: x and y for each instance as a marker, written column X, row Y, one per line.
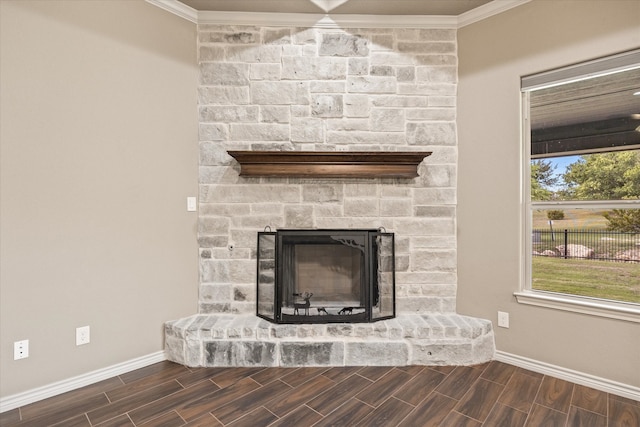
column 99, row 152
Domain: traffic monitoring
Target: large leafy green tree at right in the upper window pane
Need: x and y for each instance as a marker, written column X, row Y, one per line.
column 605, row 176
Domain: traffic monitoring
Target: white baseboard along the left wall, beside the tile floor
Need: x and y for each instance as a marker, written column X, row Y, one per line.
column 36, row 394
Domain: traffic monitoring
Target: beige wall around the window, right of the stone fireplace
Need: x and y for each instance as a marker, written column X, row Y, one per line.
column 493, row 55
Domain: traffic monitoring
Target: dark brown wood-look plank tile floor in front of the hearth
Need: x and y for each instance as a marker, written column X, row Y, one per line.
column 493, row 394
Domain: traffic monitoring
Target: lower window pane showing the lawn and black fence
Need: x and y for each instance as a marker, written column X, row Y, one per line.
column 587, row 252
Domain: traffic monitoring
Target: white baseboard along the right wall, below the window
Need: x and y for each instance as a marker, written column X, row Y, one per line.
column 577, row 377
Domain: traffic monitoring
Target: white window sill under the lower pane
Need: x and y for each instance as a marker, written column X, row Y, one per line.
column 613, row 310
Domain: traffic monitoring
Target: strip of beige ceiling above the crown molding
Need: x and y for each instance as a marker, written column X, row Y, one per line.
column 356, row 7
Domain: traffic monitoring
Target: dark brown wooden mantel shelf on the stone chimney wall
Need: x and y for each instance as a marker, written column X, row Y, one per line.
column 331, row 164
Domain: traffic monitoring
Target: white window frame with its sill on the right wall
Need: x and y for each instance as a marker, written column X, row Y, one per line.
column 526, row 295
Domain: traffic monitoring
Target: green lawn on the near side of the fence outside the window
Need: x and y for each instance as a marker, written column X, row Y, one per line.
column 599, row 279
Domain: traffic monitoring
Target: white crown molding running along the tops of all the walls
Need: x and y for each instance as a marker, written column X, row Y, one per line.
column 334, row 21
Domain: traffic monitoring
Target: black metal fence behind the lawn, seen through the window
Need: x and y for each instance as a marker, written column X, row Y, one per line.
column 601, row 245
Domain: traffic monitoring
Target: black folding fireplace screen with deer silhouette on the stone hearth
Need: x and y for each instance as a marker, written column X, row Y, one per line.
column 326, row 276
